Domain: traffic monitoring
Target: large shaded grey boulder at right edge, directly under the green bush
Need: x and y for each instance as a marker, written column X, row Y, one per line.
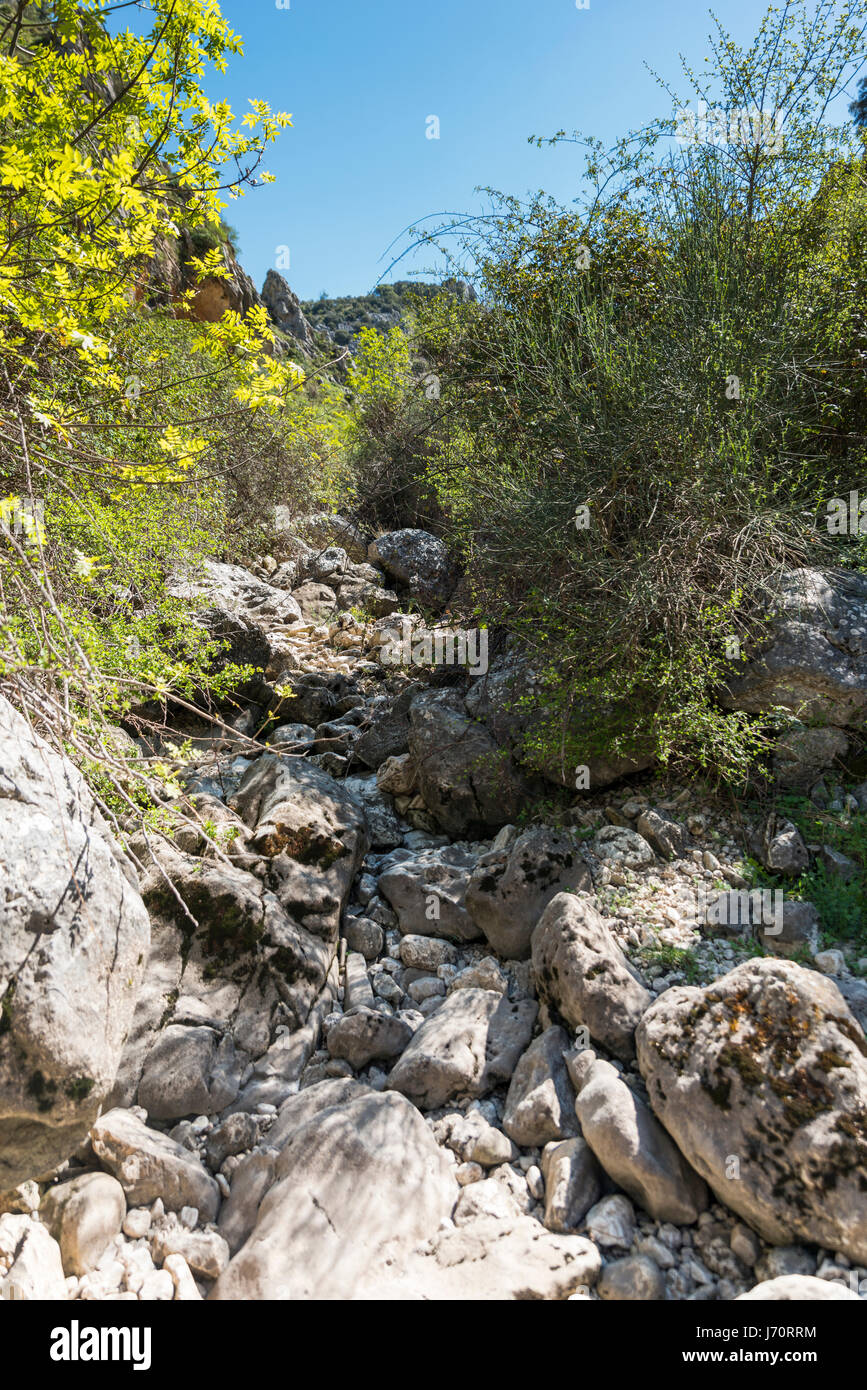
column 814, row 664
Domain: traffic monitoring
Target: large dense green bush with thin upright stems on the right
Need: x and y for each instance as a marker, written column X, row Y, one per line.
column 683, row 358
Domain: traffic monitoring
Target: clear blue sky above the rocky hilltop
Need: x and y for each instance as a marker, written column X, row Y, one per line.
column 362, row 77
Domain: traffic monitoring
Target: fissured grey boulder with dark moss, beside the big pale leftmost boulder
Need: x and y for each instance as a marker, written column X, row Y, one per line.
column 227, row 964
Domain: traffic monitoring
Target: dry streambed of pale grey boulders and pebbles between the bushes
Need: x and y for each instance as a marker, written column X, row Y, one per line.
column 383, row 1049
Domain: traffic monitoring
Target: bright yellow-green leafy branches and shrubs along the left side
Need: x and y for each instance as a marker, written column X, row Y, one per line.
column 134, row 439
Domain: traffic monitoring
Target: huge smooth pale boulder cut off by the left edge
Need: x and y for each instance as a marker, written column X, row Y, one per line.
column 74, row 940
